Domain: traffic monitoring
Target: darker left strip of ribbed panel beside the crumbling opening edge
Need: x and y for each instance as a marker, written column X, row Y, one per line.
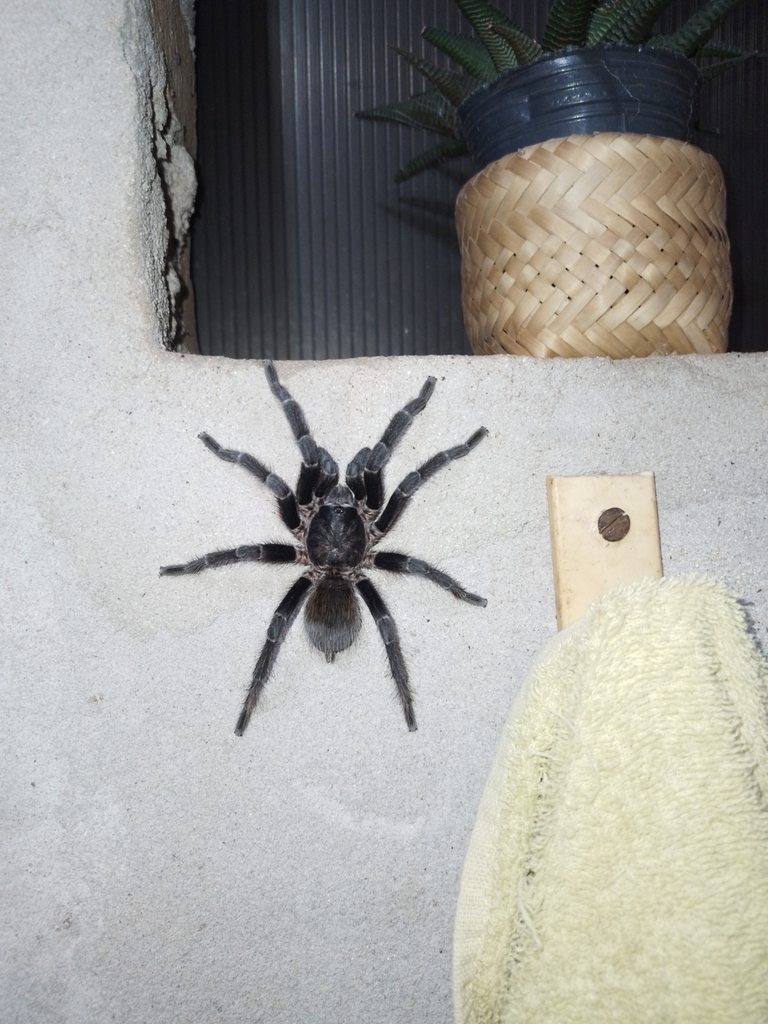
column 239, row 241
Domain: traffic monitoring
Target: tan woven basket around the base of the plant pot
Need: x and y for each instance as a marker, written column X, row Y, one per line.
column 609, row 245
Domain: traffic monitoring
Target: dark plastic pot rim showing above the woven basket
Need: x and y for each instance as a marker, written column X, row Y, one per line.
column 580, row 92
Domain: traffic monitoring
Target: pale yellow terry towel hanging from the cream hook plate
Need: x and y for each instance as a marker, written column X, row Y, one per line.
column 619, row 866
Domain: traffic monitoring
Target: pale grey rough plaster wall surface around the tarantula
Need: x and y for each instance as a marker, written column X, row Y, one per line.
column 155, row 867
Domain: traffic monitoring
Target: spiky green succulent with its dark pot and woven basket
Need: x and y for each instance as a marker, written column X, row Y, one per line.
column 593, row 227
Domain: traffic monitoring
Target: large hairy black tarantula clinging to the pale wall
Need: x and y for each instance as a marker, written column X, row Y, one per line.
column 336, row 529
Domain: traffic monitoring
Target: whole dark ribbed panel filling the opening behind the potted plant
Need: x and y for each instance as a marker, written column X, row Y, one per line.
column 305, row 248
